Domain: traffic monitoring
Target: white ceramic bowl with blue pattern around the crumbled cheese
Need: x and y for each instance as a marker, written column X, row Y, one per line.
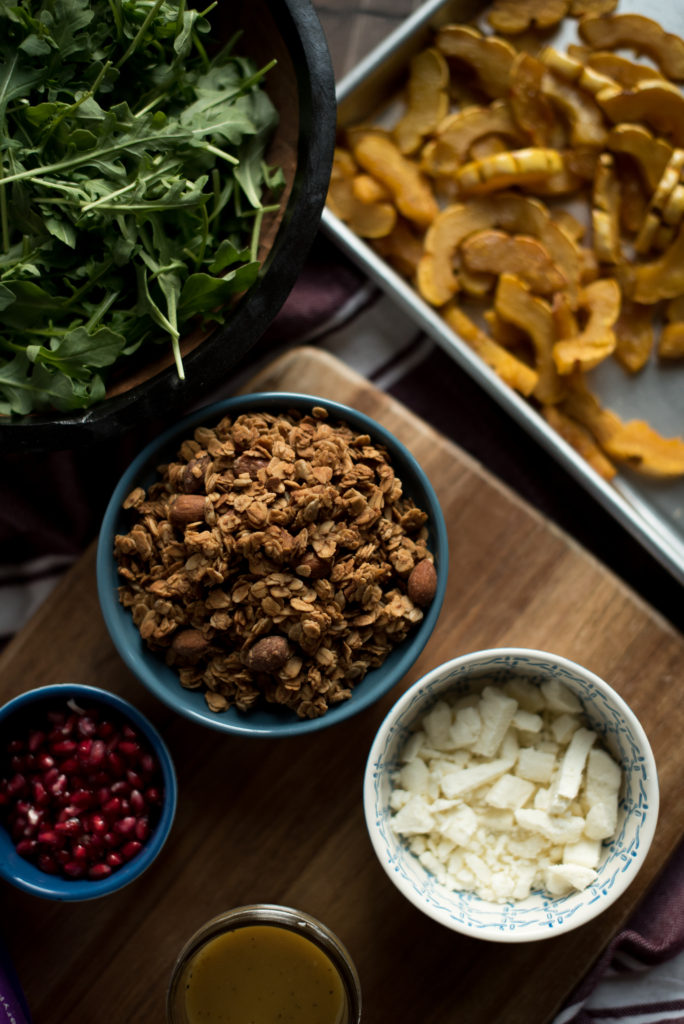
column 540, row 916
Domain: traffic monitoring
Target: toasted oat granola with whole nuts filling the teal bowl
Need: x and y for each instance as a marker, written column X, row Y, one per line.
column 273, row 561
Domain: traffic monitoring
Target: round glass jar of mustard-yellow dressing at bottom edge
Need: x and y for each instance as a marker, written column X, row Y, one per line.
column 265, row 960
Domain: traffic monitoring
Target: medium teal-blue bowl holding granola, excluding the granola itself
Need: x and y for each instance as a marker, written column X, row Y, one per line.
column 162, row 680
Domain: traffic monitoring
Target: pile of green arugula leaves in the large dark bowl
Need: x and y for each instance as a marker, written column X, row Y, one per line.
column 134, row 183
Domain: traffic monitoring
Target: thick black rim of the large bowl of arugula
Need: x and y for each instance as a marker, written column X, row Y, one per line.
column 164, row 395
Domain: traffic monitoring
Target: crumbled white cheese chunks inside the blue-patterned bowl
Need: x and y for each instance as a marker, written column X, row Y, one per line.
column 507, row 791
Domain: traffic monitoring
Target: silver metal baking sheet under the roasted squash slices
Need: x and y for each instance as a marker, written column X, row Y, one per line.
column 652, row 510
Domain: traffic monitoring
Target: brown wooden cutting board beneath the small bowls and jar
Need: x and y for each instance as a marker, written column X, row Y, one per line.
column 282, row 822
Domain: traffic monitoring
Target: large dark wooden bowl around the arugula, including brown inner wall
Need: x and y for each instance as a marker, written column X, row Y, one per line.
column 303, row 87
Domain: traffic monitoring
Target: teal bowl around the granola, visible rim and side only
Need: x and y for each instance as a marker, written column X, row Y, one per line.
column 118, row 621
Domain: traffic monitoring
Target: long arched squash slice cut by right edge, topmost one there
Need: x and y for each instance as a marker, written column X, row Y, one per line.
column 637, row 33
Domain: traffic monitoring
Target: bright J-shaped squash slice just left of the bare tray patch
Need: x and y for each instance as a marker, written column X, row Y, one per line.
column 602, row 302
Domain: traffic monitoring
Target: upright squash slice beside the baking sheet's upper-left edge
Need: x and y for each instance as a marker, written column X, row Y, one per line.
column 427, row 100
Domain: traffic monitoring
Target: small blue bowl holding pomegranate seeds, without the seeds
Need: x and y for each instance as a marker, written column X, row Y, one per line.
column 23, row 874
